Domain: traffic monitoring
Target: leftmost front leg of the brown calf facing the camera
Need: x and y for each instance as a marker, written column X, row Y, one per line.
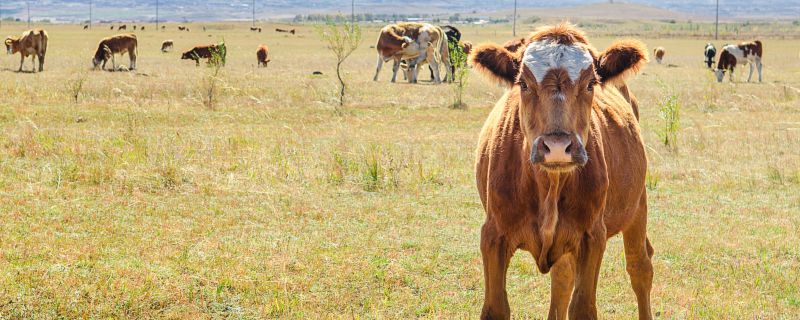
column 496, row 252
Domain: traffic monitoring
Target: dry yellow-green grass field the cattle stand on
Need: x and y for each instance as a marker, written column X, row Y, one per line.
column 139, row 200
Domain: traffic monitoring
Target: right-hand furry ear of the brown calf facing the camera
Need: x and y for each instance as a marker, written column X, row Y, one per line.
column 620, row 60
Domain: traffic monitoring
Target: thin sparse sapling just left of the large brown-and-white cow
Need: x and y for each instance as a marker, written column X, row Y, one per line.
column 342, row 39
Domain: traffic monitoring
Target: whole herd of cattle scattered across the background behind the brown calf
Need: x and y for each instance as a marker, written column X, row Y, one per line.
column 410, row 45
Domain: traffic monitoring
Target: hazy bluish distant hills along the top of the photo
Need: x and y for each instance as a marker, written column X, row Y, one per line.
column 196, row 10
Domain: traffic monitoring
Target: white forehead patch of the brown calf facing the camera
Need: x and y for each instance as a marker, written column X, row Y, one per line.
column 543, row 55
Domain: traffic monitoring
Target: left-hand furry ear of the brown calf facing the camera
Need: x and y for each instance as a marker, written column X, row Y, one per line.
column 496, row 63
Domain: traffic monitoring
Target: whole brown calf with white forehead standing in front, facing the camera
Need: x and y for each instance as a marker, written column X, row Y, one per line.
column 561, row 167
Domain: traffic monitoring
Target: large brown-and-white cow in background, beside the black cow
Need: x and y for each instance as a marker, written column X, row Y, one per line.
column 410, row 41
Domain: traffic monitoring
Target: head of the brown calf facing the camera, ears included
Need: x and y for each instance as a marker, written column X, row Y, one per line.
column 554, row 81
